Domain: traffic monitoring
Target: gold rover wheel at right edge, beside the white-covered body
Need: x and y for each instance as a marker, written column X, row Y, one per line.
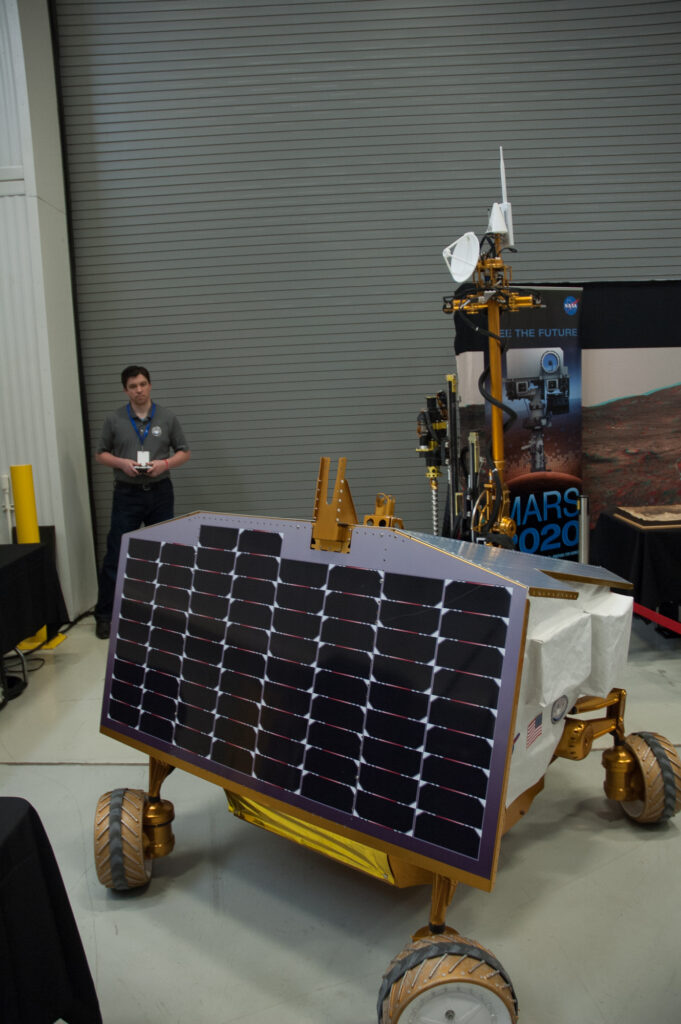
column 661, row 769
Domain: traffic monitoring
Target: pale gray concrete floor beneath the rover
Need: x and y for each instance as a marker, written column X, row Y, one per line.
column 241, row 926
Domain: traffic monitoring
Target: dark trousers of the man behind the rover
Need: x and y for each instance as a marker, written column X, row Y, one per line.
column 134, row 506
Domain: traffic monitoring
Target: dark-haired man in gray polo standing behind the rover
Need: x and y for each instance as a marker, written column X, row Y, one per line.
column 137, row 443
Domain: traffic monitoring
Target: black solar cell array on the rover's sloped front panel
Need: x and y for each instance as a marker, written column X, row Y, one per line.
column 366, row 696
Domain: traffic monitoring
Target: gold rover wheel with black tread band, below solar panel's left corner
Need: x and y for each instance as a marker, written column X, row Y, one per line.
column 119, row 840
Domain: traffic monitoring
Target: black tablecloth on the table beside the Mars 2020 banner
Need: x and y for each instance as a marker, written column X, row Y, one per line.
column 651, row 560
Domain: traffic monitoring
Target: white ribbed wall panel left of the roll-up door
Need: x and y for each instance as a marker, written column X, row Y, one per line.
column 40, row 411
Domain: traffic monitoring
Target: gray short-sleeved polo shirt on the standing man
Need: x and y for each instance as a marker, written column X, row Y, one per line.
column 164, row 437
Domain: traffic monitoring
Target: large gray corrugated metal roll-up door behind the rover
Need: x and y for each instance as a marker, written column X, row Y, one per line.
column 261, row 194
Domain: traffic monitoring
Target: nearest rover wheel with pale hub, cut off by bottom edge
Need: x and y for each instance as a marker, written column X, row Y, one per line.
column 436, row 980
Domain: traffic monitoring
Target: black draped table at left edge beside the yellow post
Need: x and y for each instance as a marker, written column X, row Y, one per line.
column 30, row 596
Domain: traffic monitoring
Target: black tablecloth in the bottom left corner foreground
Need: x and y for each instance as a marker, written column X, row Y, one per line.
column 44, row 969
